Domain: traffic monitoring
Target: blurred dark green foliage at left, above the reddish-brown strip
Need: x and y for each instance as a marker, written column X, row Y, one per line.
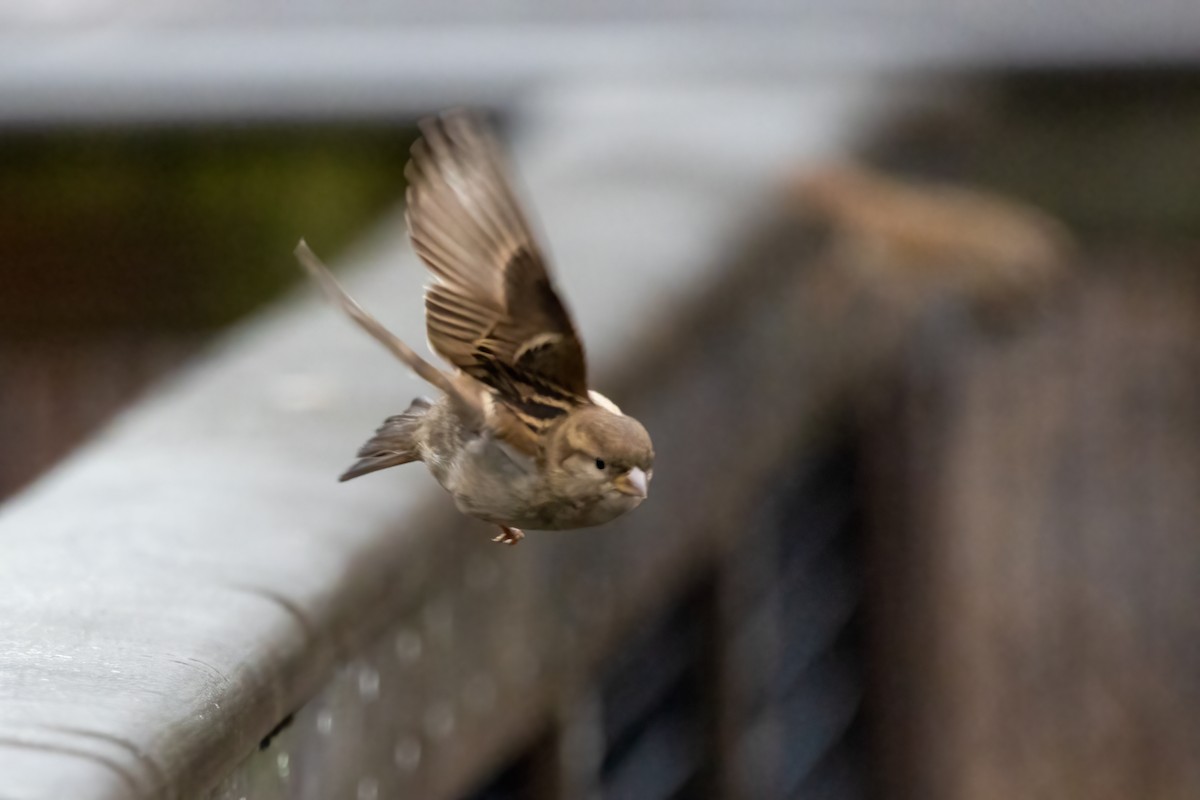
column 178, row 230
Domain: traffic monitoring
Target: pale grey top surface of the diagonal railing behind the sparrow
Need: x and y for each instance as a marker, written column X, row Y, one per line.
column 189, row 579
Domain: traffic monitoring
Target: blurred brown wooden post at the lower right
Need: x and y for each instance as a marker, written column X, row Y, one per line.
column 1036, row 552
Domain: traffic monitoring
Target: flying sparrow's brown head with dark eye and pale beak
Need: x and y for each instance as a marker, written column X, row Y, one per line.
column 601, row 455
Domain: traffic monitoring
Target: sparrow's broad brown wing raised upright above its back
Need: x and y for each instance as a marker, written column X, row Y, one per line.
column 493, row 311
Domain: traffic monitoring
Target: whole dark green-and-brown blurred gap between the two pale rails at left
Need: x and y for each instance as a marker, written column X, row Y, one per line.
column 125, row 249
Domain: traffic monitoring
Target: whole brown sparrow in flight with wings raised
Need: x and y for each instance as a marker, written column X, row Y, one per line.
column 515, row 435
